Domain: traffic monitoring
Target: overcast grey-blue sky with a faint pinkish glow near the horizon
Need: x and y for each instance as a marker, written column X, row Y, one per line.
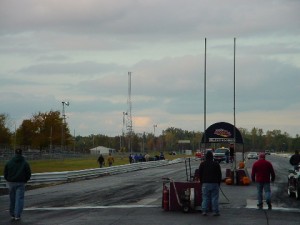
column 81, row 51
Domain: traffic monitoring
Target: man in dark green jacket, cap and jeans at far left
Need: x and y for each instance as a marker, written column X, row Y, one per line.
column 17, row 172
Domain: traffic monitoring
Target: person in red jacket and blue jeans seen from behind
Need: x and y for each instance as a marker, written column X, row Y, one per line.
column 262, row 174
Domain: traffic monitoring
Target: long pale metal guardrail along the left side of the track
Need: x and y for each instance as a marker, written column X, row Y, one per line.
column 68, row 176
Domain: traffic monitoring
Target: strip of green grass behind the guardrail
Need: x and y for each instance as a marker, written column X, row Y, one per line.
column 89, row 162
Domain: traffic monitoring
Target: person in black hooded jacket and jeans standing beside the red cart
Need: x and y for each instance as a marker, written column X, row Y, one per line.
column 210, row 177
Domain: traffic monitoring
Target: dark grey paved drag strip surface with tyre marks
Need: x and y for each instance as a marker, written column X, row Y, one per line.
column 135, row 199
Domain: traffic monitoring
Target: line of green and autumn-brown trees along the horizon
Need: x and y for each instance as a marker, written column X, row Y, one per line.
column 48, row 132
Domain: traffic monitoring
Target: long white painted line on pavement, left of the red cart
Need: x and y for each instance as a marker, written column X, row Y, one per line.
column 90, row 207
